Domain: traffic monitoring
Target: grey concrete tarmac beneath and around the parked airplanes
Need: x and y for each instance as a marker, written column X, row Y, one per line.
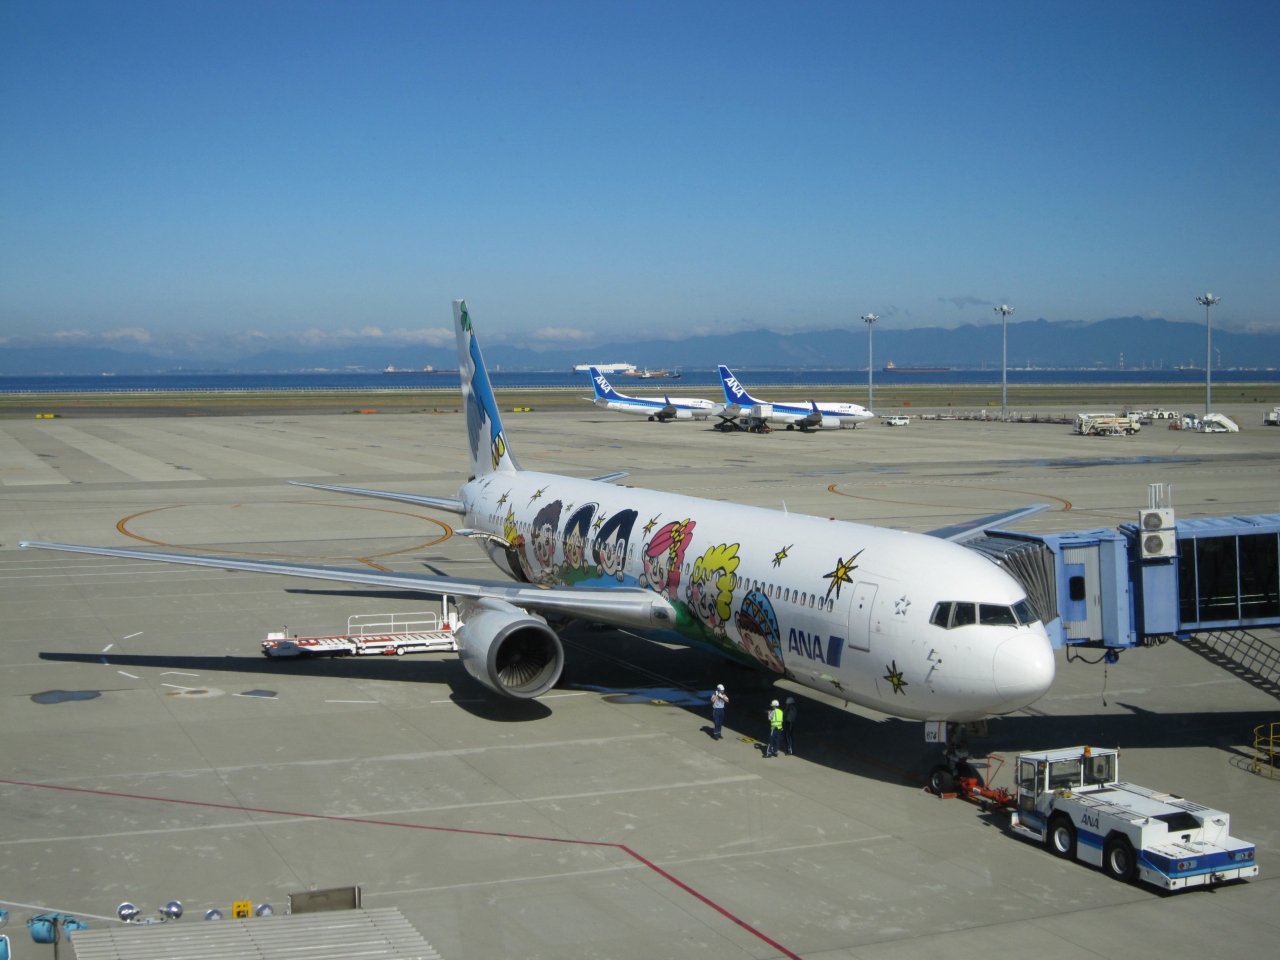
column 152, row 753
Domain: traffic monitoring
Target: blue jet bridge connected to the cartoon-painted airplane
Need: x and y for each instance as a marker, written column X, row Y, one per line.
column 1148, row 580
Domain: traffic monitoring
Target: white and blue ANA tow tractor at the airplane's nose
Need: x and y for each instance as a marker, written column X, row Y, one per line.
column 1073, row 802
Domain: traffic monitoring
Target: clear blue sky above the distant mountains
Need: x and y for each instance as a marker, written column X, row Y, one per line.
column 241, row 173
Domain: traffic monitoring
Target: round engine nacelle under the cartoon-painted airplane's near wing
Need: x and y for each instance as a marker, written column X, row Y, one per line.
column 511, row 652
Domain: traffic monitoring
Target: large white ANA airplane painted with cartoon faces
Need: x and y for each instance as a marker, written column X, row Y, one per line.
column 912, row 625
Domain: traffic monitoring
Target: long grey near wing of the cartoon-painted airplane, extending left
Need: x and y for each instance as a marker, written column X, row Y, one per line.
column 632, row 607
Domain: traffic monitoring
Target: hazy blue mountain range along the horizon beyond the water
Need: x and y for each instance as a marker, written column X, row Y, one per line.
column 1142, row 342
